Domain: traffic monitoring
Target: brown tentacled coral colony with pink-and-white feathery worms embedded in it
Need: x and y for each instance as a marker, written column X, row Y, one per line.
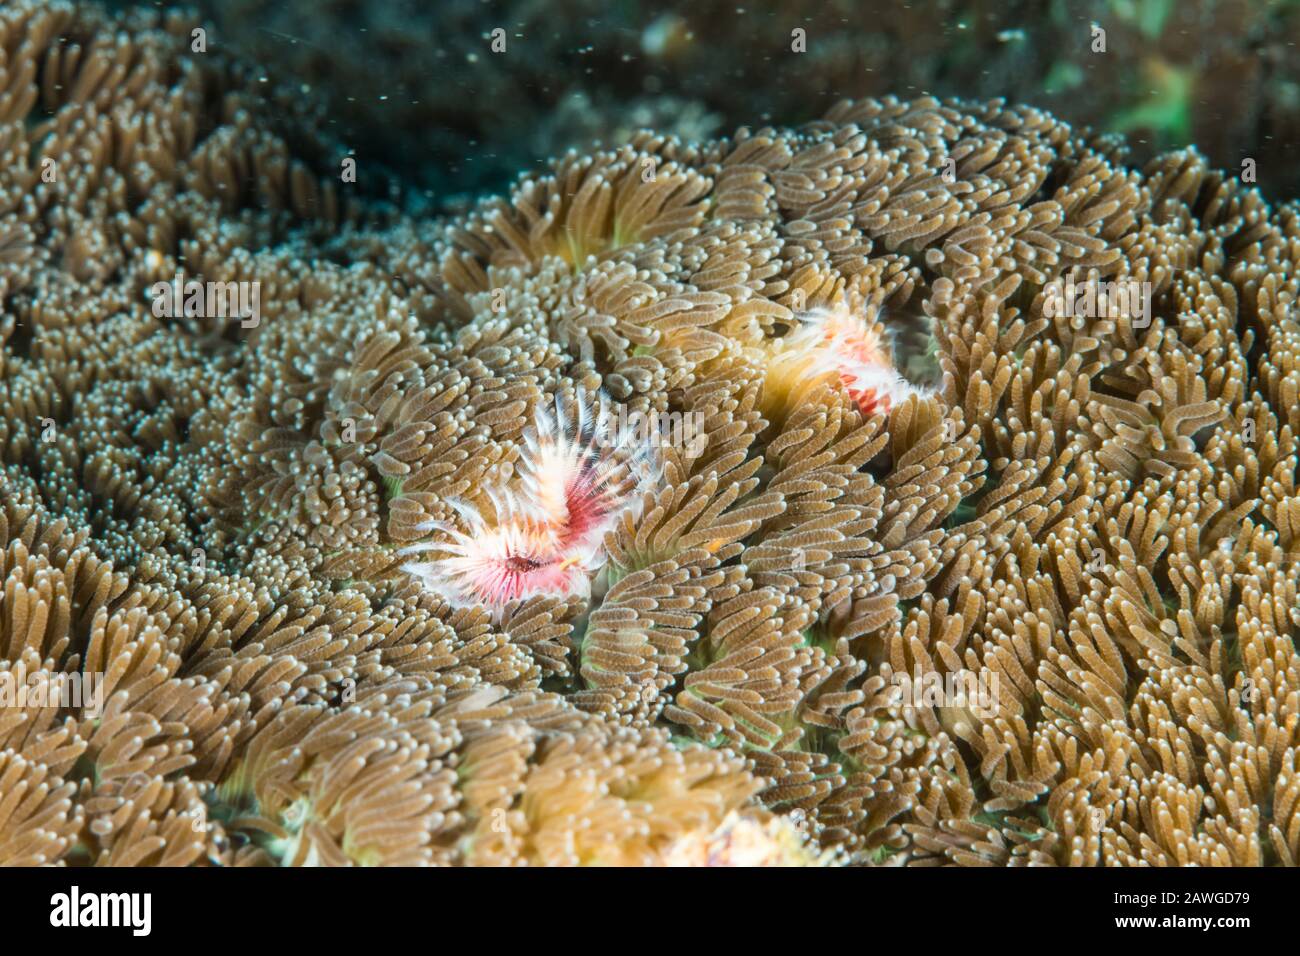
column 913, row 487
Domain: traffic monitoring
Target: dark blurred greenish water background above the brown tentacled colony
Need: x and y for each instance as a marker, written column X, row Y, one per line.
column 417, row 85
